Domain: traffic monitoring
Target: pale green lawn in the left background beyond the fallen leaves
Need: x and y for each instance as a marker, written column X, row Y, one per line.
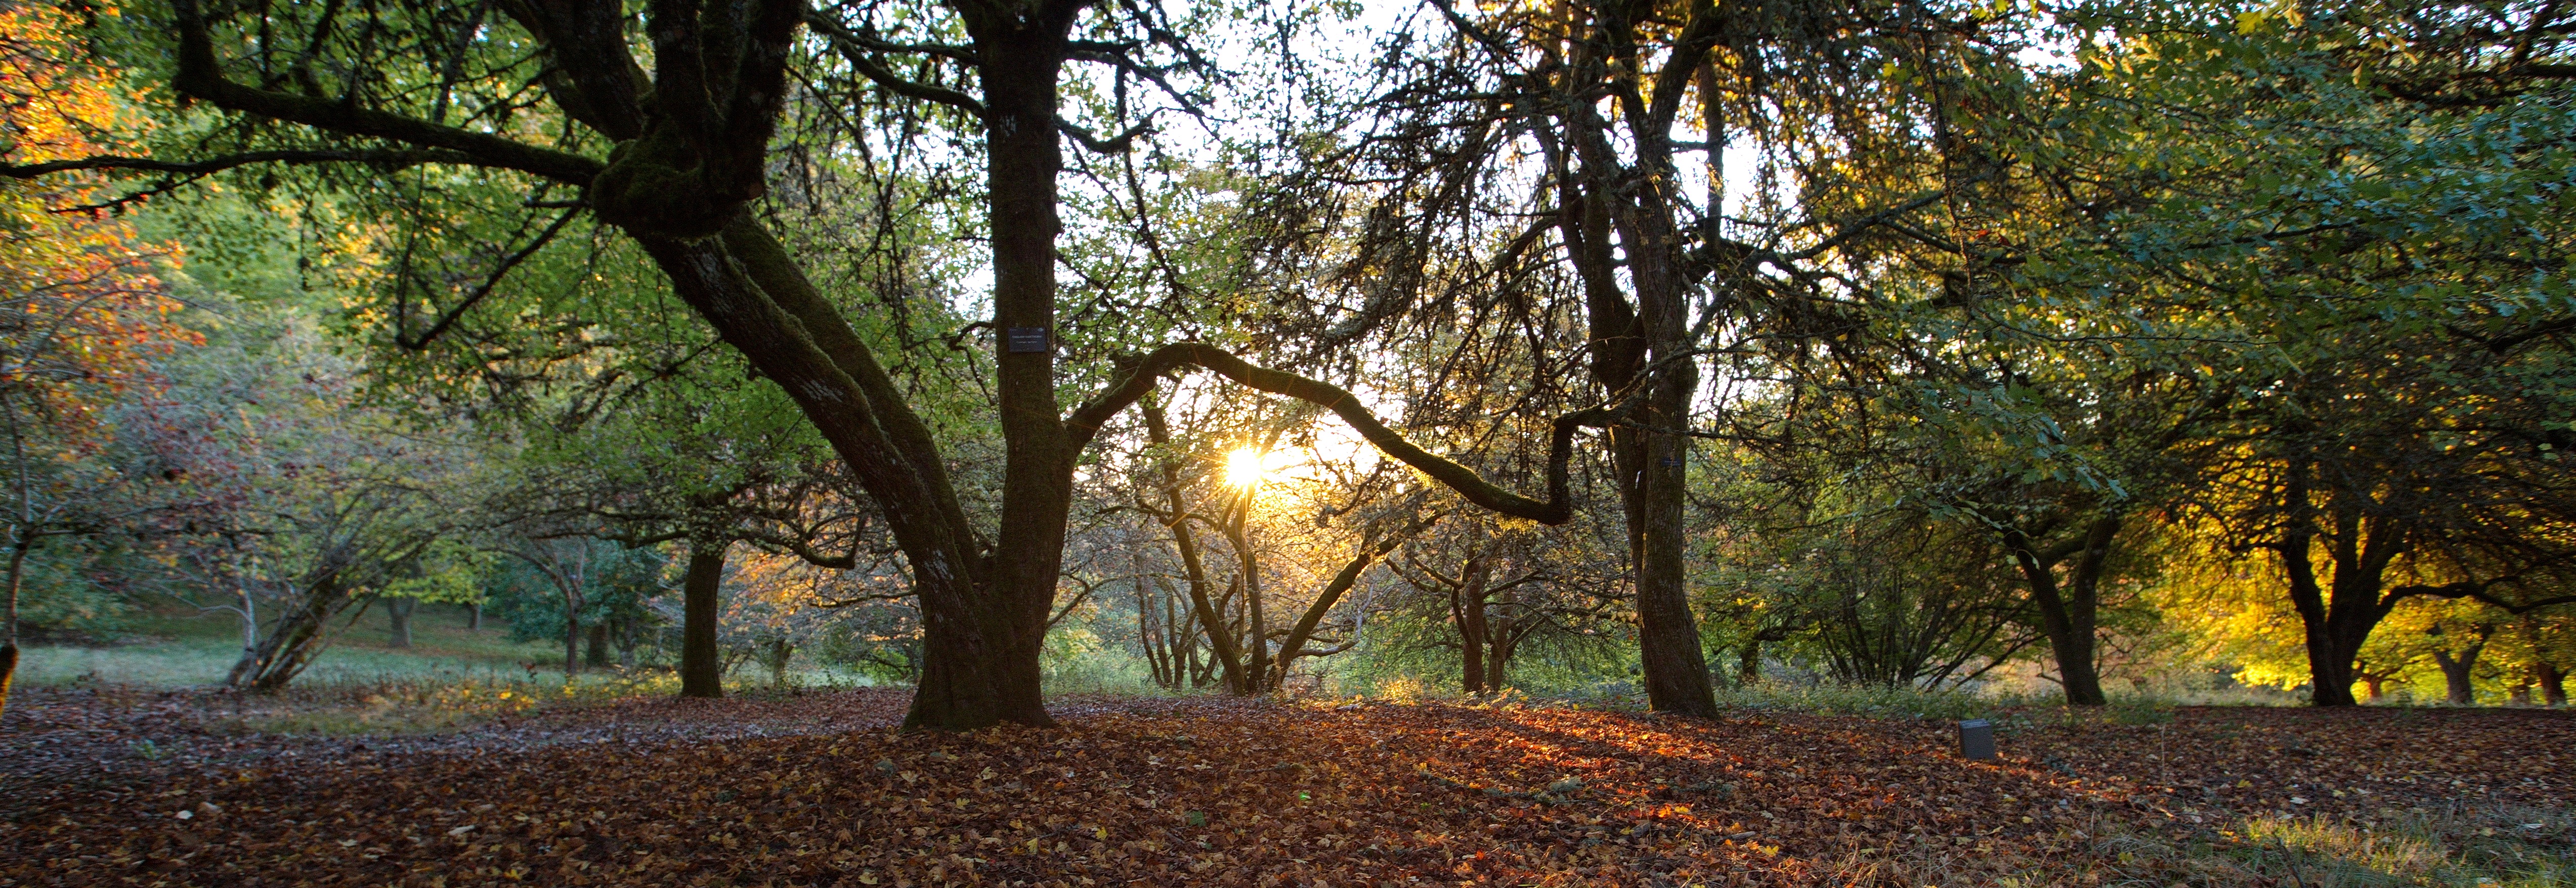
column 197, row 650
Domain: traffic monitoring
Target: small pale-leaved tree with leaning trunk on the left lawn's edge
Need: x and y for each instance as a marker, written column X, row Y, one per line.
column 300, row 501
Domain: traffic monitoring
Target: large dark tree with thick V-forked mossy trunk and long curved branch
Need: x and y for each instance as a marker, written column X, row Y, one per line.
column 692, row 145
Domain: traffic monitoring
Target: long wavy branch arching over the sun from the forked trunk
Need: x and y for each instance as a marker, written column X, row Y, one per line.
column 1462, row 480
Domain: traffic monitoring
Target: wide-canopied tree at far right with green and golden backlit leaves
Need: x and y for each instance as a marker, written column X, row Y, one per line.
column 2374, row 411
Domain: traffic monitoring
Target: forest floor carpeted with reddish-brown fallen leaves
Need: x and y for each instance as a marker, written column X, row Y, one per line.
column 128, row 786
